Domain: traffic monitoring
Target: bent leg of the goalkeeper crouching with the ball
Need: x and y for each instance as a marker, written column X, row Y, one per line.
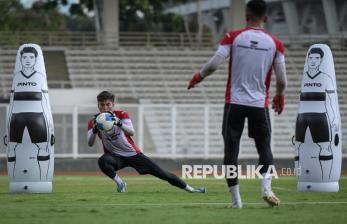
column 109, row 164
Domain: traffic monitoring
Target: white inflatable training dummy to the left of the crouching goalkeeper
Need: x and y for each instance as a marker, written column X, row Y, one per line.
column 30, row 134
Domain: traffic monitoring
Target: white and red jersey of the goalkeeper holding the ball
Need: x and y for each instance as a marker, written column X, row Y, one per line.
column 116, row 140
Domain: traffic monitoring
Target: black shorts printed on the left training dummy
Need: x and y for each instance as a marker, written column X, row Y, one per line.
column 36, row 124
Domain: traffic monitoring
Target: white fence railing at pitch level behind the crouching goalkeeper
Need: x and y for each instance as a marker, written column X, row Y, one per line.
column 168, row 131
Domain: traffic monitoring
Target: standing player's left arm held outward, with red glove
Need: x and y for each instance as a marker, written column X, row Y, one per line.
column 217, row 59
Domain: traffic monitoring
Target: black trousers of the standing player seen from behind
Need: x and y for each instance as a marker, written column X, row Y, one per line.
column 259, row 128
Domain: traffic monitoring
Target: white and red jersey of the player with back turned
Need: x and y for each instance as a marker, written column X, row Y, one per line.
column 252, row 52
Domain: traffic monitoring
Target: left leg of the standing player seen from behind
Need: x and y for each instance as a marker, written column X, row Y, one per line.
column 233, row 123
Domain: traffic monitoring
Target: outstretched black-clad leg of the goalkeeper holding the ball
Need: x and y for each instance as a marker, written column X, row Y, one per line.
column 145, row 165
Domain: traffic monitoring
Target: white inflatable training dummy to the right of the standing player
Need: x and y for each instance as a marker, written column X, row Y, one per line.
column 318, row 125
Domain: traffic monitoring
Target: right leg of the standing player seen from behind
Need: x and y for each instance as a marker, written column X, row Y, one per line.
column 260, row 129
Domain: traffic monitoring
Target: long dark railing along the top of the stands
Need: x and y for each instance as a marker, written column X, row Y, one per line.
column 150, row 39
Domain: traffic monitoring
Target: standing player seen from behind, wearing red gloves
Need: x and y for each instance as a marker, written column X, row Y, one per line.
column 252, row 53
